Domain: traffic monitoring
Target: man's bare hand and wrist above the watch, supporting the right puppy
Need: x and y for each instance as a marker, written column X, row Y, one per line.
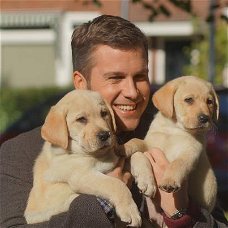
column 169, row 202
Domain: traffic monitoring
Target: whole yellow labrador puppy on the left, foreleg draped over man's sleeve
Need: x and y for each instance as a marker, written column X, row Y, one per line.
column 80, row 148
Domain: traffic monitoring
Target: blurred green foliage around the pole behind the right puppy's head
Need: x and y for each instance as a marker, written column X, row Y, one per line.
column 199, row 54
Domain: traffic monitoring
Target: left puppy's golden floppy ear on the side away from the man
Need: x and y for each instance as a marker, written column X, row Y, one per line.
column 55, row 129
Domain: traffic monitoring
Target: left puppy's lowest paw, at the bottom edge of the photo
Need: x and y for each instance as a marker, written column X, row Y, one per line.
column 129, row 214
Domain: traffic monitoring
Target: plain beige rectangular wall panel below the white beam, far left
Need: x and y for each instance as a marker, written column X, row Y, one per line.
column 28, row 65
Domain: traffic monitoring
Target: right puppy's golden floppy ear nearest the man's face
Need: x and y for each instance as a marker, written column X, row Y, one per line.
column 164, row 97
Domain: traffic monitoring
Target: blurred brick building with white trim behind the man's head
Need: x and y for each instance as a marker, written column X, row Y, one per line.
column 36, row 35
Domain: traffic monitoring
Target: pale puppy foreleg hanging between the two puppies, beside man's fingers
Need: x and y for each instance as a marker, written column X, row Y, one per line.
column 142, row 171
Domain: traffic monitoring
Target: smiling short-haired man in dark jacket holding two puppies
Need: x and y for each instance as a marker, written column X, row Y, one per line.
column 109, row 56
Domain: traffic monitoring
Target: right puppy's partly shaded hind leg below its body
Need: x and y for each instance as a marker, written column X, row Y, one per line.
column 202, row 184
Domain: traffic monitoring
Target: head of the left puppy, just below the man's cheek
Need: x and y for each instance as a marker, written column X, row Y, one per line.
column 80, row 122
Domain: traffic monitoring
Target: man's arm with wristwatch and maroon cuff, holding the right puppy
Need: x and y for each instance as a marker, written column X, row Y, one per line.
column 194, row 216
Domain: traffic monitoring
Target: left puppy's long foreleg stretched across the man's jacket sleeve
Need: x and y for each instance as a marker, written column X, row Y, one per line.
column 110, row 188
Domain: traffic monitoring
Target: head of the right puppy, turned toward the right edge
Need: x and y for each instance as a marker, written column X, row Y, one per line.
column 190, row 101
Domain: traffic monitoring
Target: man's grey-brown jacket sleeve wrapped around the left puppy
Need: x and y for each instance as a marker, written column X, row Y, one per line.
column 17, row 158
